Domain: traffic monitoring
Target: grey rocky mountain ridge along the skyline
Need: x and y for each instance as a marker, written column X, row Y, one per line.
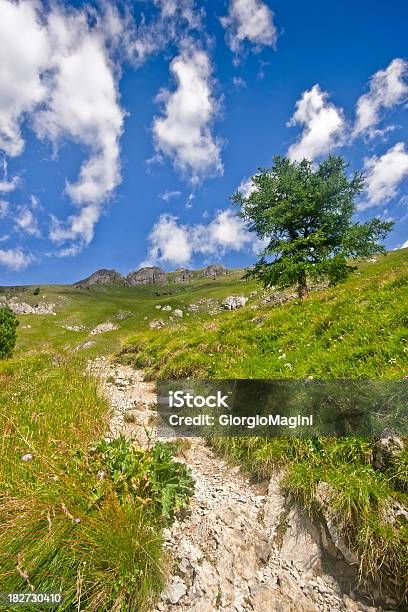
column 150, row 275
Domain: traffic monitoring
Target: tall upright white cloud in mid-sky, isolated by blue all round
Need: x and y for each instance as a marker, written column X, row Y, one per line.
column 184, row 132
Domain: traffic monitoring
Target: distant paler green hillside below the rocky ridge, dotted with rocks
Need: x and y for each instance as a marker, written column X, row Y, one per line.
column 98, row 304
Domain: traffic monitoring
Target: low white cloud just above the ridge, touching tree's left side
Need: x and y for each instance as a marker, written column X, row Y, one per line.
column 174, row 243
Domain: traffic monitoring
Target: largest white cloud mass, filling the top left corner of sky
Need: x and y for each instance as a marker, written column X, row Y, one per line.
column 58, row 75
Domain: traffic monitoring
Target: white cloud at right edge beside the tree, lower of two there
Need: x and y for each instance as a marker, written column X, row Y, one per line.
column 384, row 175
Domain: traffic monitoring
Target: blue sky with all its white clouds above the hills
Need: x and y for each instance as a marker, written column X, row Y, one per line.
column 125, row 128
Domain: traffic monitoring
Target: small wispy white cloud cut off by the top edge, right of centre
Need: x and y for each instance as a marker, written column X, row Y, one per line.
column 249, row 20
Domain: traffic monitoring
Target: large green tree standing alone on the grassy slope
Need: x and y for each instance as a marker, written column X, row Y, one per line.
column 305, row 217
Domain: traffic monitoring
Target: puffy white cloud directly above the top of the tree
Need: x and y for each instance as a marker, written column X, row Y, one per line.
column 323, row 125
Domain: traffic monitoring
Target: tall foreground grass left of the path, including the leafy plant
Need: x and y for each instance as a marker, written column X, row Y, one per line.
column 78, row 517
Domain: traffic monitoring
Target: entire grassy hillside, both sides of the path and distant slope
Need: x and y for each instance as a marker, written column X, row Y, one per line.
column 49, row 409
